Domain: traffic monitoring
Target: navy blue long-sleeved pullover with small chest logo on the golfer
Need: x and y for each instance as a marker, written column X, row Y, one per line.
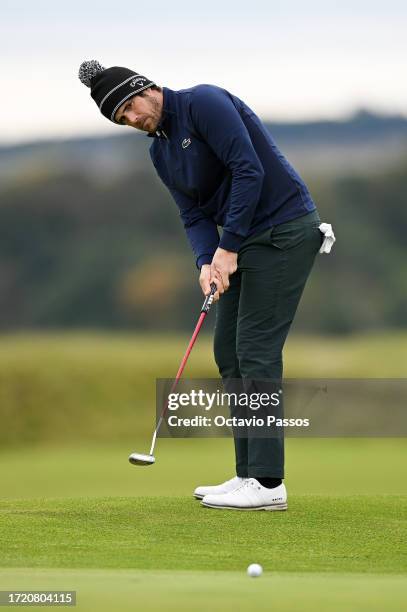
column 223, row 168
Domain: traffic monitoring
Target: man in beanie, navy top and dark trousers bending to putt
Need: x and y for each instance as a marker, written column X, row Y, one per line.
column 223, row 168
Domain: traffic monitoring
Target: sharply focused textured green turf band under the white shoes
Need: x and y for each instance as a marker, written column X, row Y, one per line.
column 323, row 534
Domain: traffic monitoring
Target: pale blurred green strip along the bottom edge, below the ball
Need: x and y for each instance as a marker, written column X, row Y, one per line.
column 129, row 590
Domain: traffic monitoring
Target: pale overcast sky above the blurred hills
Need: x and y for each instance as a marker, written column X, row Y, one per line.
column 288, row 60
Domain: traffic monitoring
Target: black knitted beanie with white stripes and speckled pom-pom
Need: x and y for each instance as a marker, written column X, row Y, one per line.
column 110, row 87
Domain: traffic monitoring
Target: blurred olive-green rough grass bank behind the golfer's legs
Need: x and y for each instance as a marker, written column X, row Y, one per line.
column 67, row 387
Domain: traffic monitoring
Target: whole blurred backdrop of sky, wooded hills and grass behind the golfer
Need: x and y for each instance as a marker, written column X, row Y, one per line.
column 98, row 287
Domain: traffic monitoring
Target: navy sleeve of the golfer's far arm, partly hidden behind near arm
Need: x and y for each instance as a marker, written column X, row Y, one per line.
column 202, row 231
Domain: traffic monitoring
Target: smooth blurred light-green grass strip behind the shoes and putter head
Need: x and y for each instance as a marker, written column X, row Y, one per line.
column 313, row 467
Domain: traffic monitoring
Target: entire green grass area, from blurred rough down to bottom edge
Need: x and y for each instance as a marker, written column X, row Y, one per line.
column 75, row 515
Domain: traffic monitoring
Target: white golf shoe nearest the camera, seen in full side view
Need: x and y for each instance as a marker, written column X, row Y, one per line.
column 250, row 495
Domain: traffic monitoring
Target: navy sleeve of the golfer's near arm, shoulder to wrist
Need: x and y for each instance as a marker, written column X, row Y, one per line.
column 217, row 120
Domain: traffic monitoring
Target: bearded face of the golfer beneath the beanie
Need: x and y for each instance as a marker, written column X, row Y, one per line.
column 141, row 112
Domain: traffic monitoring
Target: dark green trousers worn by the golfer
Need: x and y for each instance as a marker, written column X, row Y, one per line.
column 253, row 318
